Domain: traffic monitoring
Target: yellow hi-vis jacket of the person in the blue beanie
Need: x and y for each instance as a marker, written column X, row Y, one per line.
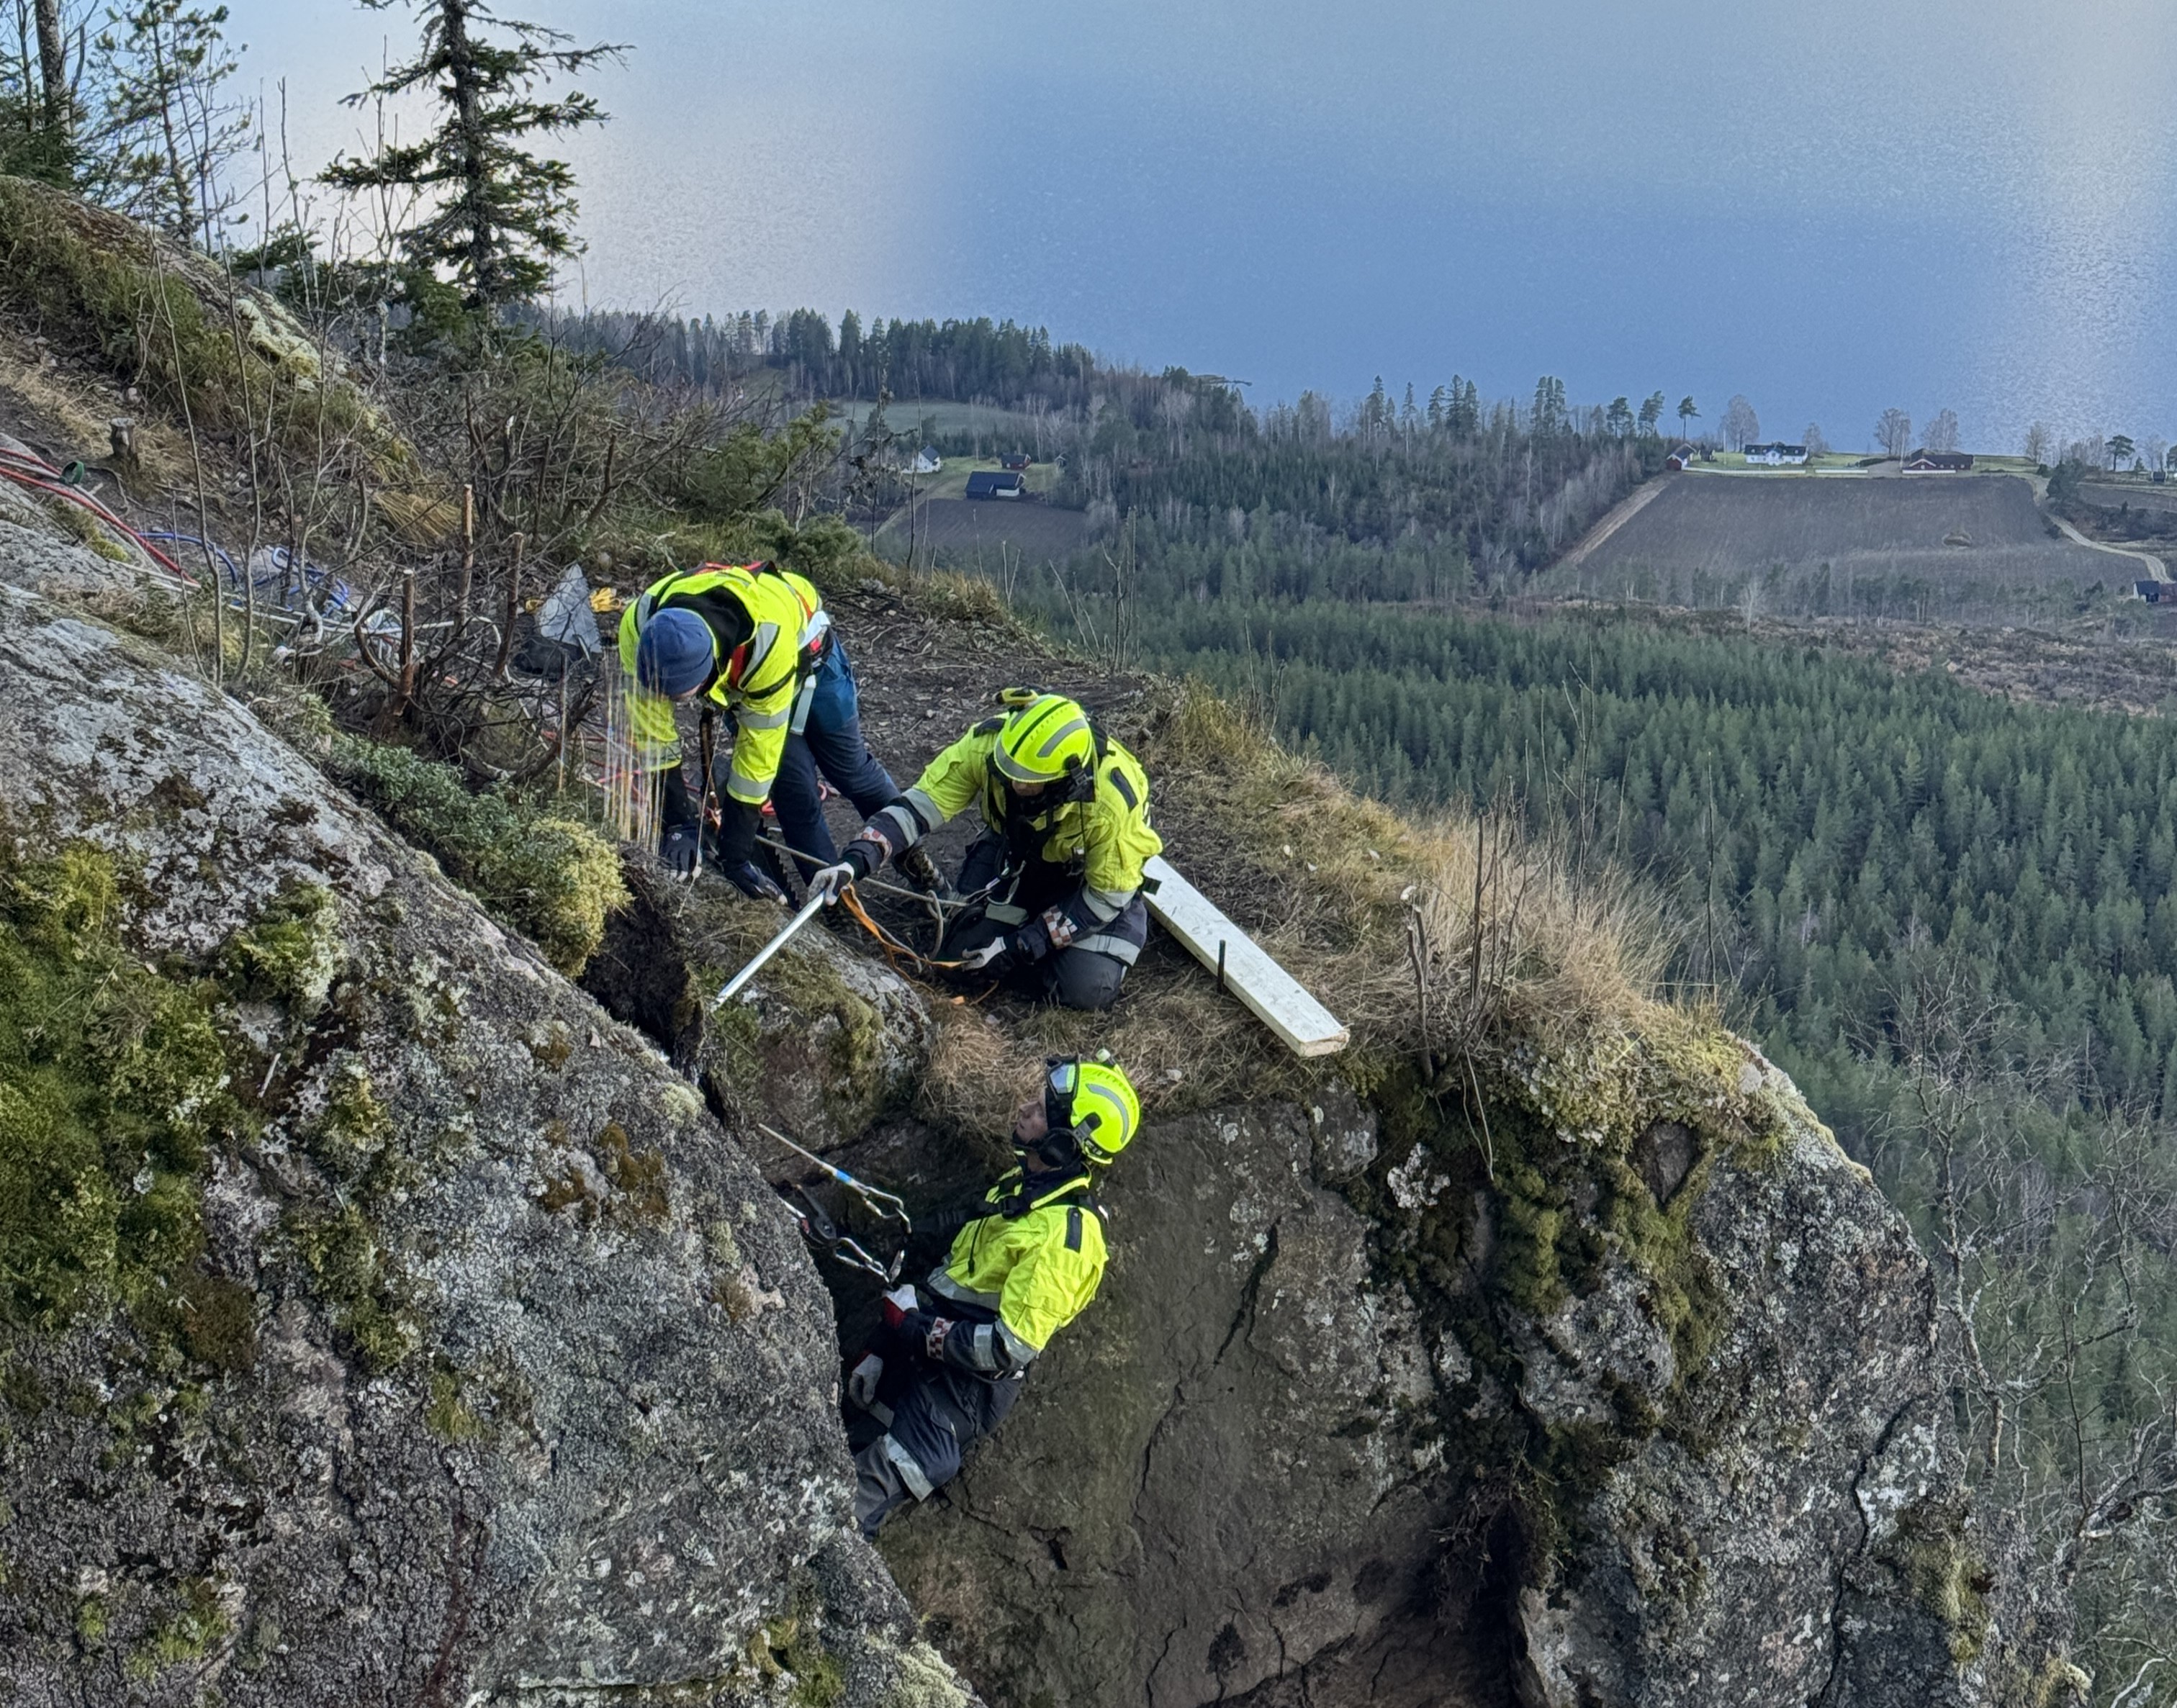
column 757, row 680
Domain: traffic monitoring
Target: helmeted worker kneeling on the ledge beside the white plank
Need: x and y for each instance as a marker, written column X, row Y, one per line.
column 1066, row 817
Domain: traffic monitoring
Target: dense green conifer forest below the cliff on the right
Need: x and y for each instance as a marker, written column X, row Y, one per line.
column 1947, row 915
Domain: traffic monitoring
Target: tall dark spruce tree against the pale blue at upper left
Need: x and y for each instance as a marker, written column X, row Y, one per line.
column 493, row 212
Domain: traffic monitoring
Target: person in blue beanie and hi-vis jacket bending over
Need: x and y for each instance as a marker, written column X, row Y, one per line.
column 759, row 643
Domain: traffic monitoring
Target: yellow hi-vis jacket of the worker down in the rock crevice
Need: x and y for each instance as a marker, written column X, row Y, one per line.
column 1022, row 1272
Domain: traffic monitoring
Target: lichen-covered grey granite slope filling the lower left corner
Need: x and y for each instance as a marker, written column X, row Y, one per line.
column 526, row 1383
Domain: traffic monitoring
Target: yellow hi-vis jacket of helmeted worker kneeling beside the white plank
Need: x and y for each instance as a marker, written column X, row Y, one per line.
column 1107, row 837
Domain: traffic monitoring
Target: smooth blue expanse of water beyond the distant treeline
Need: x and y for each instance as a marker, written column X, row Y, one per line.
column 1828, row 210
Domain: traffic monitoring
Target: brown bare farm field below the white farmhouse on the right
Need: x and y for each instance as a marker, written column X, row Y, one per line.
column 1936, row 547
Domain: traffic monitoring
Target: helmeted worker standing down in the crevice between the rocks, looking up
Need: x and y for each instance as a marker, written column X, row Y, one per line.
column 946, row 1374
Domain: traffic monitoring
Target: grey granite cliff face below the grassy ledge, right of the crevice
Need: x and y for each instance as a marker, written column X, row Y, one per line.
column 1647, row 1420
